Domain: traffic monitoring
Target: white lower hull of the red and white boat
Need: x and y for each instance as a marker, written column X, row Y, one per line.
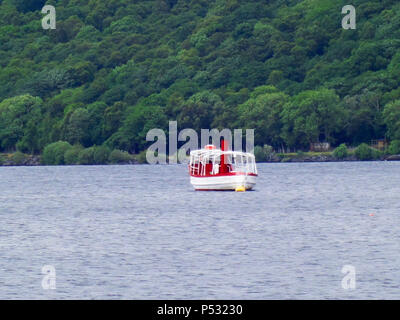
column 219, row 183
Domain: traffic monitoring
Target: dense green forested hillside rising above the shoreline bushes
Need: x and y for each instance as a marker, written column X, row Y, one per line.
column 114, row 69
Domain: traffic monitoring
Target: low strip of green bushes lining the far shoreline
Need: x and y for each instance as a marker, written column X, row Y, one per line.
column 61, row 153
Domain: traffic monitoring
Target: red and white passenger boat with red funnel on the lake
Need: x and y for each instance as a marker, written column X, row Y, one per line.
column 219, row 169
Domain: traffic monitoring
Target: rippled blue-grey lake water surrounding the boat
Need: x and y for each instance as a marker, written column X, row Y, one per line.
column 141, row 232
